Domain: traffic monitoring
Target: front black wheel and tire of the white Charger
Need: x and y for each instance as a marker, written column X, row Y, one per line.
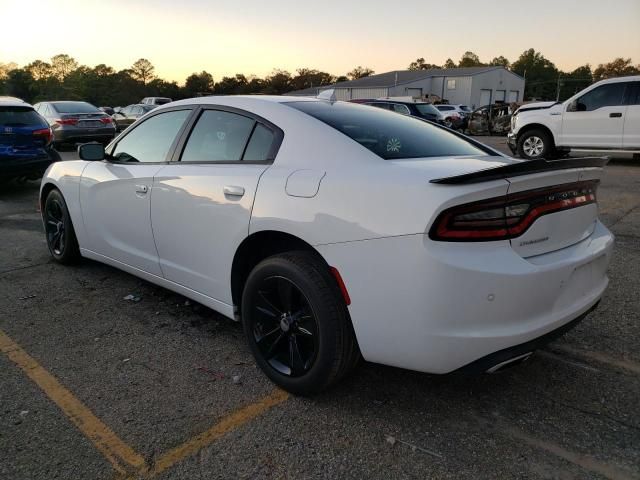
column 61, row 237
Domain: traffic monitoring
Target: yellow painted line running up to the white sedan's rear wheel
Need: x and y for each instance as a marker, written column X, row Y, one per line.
column 224, row 426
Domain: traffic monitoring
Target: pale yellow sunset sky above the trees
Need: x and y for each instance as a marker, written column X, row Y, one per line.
column 254, row 37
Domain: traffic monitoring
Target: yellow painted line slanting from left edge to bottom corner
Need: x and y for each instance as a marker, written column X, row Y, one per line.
column 105, row 440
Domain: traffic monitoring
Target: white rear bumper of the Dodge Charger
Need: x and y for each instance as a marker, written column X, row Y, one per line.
column 438, row 306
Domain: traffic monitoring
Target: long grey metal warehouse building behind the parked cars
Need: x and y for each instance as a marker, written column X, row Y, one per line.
column 474, row 86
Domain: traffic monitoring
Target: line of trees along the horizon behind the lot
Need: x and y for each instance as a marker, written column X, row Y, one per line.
column 63, row 78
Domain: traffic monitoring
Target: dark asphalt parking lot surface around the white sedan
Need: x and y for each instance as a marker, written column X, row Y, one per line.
column 159, row 372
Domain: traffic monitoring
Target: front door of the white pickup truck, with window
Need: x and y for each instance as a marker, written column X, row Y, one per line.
column 596, row 118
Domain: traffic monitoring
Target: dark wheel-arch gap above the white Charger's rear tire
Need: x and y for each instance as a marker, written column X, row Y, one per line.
column 258, row 246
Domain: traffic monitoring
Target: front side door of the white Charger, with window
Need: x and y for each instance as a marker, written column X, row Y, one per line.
column 115, row 194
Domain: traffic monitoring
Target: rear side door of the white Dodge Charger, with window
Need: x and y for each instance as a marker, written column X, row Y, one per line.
column 201, row 205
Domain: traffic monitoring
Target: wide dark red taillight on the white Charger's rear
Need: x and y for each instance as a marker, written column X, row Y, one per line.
column 509, row 216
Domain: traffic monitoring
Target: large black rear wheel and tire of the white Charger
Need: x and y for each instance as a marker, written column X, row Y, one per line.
column 297, row 324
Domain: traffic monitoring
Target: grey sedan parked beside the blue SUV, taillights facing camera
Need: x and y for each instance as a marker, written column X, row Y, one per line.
column 76, row 122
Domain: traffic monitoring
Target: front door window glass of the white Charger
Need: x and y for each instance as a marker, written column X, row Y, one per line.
column 151, row 140
